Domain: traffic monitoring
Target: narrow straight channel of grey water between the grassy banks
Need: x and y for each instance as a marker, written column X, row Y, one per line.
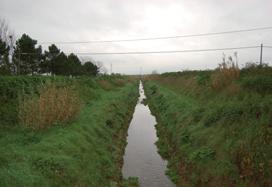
column 141, row 158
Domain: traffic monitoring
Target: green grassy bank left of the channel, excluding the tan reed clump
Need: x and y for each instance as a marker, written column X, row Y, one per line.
column 85, row 151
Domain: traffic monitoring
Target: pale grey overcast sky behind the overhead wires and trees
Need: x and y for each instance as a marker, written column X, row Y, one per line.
column 83, row 20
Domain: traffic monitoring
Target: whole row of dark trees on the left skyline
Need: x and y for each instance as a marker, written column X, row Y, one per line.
column 24, row 57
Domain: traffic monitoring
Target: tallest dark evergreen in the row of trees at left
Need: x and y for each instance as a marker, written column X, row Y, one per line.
column 26, row 56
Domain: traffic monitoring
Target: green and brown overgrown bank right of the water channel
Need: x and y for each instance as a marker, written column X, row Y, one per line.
column 214, row 135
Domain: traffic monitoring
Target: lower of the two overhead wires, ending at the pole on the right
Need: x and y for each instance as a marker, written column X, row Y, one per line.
column 172, row 51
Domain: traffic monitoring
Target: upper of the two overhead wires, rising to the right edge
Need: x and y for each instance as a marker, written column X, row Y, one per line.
column 161, row 38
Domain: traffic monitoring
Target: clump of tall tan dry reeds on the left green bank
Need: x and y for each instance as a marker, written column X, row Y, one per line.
column 53, row 105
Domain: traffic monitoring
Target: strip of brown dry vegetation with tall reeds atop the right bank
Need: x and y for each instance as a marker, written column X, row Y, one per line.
column 195, row 83
